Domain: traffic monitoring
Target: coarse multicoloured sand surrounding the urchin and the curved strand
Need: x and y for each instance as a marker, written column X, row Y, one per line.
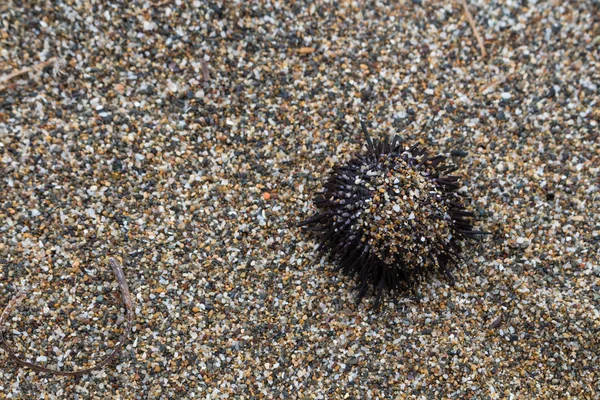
column 187, row 138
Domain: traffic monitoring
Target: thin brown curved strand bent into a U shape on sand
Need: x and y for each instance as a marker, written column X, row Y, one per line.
column 118, row 271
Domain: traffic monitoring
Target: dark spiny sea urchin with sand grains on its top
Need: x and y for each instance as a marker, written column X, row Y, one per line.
column 392, row 216
